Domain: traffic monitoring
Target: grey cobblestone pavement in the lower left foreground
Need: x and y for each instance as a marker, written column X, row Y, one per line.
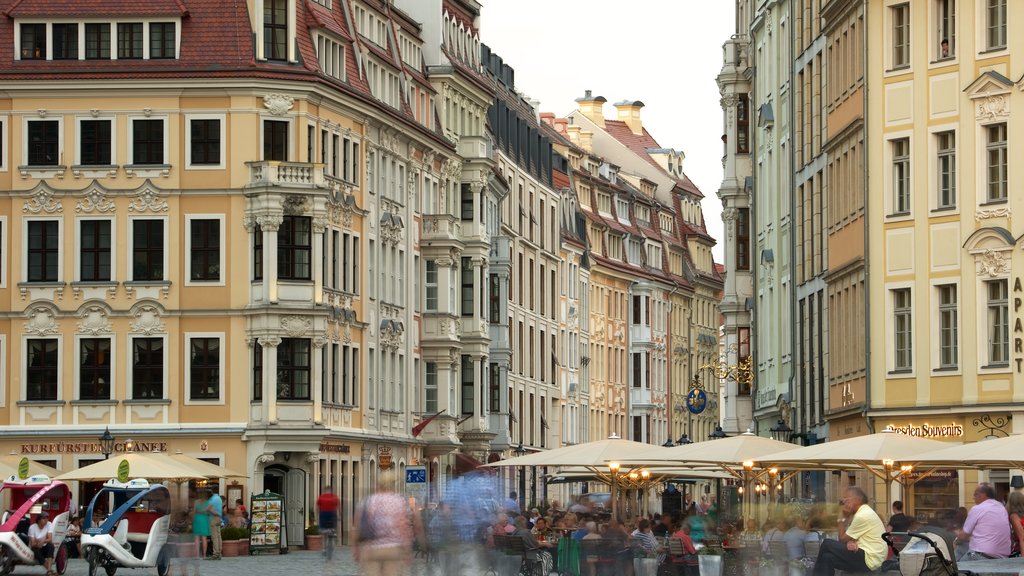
column 298, row 563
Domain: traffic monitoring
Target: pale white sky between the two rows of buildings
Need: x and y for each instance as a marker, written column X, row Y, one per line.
column 664, row 53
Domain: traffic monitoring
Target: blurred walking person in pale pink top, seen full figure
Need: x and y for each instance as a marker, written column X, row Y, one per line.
column 385, row 530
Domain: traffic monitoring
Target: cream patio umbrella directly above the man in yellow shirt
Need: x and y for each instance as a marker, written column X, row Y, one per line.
column 888, row 456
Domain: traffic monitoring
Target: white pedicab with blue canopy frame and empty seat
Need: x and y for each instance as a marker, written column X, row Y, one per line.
column 135, row 534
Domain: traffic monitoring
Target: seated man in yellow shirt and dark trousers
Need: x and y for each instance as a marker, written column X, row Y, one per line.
column 861, row 548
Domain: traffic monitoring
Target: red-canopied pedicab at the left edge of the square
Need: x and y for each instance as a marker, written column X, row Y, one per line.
column 29, row 499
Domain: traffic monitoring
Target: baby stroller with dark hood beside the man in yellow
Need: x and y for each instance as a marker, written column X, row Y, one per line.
column 925, row 553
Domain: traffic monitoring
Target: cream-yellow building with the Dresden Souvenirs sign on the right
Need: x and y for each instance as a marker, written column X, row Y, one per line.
column 946, row 270
